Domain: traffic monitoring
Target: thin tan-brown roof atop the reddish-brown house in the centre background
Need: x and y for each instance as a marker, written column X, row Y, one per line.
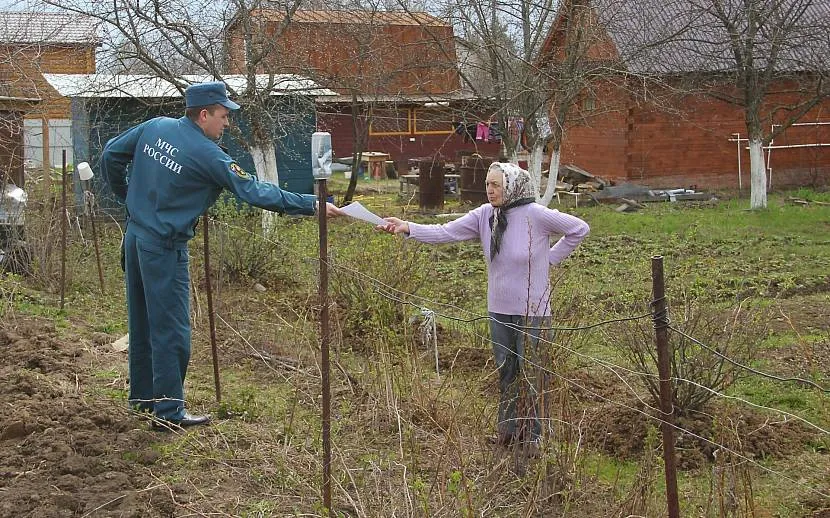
column 355, row 17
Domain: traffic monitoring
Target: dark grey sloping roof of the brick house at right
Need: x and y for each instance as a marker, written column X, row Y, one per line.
column 682, row 36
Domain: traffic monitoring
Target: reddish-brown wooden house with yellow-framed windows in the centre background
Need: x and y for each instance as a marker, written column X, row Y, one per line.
column 396, row 72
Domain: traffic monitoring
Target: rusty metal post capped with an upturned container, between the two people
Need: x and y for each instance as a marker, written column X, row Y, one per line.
column 324, row 341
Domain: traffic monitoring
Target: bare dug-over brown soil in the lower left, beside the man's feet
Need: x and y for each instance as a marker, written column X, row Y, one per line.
column 62, row 454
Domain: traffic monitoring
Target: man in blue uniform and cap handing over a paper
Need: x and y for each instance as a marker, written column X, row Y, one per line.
column 168, row 172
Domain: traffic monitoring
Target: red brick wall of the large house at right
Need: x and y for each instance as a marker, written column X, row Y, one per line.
column 689, row 146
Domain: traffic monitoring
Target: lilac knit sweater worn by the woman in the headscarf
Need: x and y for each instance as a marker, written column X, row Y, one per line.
column 518, row 278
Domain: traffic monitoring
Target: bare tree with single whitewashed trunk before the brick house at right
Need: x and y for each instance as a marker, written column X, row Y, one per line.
column 768, row 57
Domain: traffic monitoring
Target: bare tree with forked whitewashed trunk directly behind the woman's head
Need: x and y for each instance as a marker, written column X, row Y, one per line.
column 534, row 61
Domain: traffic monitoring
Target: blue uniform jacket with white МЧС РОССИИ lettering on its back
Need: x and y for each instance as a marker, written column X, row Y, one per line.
column 168, row 173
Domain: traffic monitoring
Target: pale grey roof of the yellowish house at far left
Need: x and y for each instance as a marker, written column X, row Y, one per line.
column 48, row 28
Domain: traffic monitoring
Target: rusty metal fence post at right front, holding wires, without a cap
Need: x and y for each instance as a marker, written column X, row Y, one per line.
column 660, row 318
